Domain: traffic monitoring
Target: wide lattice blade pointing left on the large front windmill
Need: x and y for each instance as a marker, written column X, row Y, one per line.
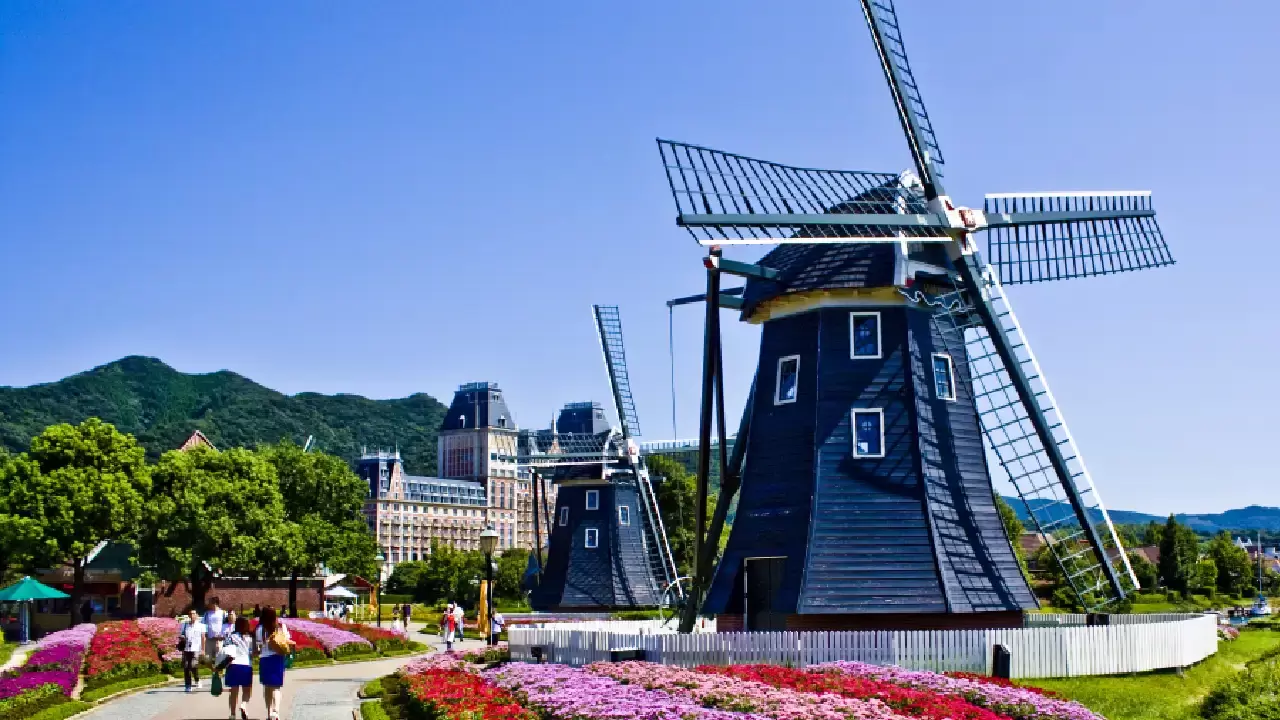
column 726, row 199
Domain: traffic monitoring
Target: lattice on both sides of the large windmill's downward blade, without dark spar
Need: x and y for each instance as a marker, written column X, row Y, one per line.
column 1013, row 439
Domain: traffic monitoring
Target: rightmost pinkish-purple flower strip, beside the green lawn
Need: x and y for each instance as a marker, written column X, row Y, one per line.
column 1009, row 700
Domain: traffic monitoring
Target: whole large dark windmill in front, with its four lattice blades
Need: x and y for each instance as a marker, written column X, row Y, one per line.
column 889, row 353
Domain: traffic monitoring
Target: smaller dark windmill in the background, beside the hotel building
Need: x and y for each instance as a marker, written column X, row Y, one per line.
column 607, row 549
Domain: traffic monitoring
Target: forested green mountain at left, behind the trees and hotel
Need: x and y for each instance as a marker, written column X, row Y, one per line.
column 163, row 407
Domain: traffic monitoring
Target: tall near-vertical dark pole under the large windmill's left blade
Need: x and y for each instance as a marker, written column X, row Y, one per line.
column 705, row 439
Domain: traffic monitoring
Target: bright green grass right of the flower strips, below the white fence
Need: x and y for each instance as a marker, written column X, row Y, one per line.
column 1164, row 696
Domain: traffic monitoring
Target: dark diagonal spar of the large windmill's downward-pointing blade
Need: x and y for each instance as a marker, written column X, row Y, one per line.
column 1023, row 386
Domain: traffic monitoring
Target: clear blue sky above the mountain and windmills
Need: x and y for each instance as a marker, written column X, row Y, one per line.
column 392, row 199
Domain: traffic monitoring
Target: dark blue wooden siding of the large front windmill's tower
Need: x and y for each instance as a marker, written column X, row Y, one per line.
column 913, row 537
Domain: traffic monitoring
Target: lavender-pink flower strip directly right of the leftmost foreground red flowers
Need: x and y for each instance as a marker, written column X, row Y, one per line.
column 572, row 694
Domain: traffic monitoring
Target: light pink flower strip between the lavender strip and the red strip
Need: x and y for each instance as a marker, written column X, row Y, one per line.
column 744, row 696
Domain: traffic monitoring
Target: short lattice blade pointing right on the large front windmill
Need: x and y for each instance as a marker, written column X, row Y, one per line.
column 1050, row 236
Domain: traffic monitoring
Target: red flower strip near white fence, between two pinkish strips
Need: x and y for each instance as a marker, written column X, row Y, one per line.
column 904, row 700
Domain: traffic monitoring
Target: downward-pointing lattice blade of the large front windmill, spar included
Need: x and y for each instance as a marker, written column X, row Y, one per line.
column 1035, row 446
